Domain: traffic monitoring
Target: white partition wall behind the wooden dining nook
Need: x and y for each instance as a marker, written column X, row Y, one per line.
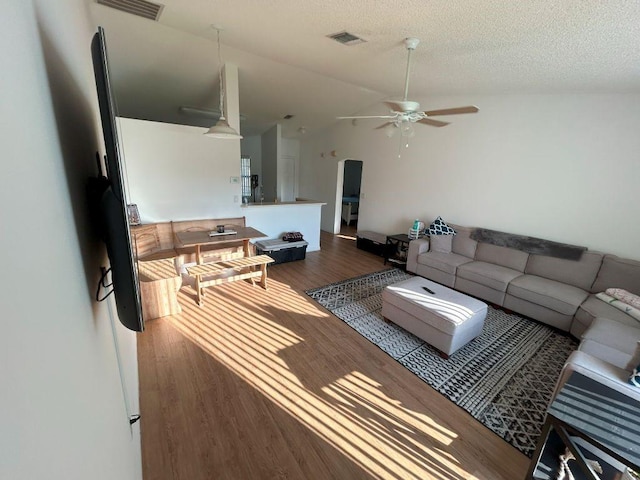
column 177, row 173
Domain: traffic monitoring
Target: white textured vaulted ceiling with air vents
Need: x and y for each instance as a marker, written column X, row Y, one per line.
column 287, row 65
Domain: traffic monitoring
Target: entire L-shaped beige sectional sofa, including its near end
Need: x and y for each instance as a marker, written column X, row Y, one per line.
column 560, row 292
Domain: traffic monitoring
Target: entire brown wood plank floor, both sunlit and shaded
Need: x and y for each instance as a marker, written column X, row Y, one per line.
column 268, row 385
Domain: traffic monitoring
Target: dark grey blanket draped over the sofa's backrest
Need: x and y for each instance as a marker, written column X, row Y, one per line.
column 534, row 245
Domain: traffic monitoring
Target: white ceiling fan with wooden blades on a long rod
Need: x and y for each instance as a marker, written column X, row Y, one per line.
column 406, row 112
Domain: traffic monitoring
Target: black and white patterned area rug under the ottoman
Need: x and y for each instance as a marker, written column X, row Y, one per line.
column 504, row 378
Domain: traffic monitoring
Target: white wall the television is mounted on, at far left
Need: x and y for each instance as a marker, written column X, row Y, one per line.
column 62, row 407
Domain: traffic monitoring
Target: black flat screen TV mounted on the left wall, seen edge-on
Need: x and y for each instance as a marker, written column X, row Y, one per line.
column 112, row 204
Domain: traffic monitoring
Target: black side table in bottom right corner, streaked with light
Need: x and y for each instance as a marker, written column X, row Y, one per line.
column 606, row 421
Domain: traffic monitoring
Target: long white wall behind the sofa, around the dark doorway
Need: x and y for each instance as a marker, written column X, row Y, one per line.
column 561, row 167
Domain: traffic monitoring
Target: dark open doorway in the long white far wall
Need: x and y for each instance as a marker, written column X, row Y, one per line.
column 349, row 183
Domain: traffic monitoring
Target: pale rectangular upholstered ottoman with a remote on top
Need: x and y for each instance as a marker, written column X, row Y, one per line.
column 446, row 319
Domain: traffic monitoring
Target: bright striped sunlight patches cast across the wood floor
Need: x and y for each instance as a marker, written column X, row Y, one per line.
column 351, row 412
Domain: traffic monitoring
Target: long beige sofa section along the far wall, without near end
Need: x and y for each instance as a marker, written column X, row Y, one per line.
column 555, row 291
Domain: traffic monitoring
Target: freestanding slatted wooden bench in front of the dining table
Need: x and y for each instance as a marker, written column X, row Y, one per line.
column 229, row 268
